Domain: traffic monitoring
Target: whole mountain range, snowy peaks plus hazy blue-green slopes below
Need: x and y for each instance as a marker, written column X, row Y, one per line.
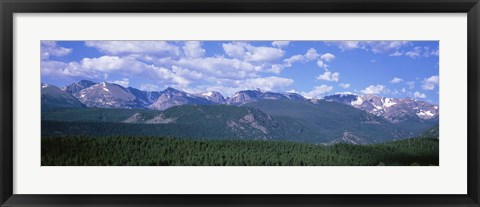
column 248, row 114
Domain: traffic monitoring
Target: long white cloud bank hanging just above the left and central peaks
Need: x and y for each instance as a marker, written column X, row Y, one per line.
column 179, row 71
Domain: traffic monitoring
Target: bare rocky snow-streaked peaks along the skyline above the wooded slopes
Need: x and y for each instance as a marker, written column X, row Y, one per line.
column 109, row 95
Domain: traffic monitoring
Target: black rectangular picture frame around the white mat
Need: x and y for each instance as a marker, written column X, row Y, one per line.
column 10, row 7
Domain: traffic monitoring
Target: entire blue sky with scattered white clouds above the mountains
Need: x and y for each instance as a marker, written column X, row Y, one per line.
column 311, row 68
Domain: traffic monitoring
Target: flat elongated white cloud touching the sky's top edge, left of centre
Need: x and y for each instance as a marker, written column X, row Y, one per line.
column 139, row 47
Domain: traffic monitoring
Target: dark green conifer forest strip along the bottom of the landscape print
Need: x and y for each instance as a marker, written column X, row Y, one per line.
column 145, row 151
